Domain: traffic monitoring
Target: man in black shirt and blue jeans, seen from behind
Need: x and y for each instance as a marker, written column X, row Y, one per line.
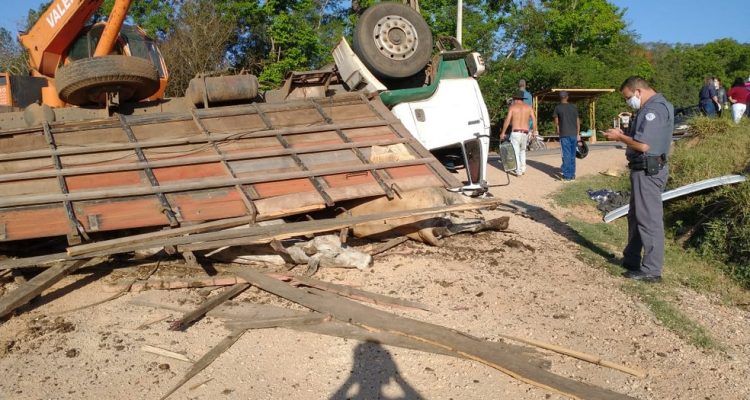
column 568, row 127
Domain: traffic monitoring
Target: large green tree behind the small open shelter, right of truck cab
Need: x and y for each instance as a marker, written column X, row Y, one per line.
column 564, row 44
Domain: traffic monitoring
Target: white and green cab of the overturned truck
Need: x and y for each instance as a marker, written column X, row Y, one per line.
column 448, row 115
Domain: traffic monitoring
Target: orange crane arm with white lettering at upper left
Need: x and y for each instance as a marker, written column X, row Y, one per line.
column 60, row 25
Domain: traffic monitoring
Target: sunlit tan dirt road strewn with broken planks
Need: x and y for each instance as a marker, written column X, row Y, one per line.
column 478, row 284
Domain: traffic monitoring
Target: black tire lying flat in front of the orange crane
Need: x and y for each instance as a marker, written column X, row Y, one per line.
column 88, row 80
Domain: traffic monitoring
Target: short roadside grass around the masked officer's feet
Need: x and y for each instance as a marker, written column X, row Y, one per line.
column 683, row 268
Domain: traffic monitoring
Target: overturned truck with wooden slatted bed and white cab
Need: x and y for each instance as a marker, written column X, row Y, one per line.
column 387, row 119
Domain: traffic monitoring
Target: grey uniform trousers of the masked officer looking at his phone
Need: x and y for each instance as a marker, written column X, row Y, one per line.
column 645, row 248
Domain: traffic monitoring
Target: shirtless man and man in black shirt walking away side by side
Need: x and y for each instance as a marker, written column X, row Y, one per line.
column 523, row 123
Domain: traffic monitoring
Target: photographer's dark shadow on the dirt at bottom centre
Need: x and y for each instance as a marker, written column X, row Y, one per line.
column 373, row 374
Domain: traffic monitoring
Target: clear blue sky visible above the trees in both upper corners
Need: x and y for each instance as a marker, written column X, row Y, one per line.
column 671, row 21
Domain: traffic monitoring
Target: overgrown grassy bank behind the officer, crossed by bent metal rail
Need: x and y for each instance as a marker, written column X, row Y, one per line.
column 716, row 223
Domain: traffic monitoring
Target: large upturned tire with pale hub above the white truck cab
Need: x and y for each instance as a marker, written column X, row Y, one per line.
column 392, row 40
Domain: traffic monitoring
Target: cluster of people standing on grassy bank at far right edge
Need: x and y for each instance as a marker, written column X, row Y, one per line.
column 713, row 98
